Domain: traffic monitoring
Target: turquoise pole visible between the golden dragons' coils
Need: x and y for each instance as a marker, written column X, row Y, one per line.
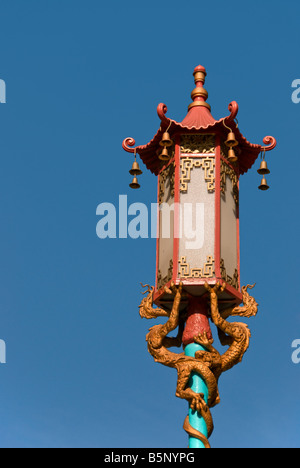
column 198, row 385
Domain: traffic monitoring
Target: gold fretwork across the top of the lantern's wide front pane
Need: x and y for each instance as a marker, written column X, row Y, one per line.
column 187, row 164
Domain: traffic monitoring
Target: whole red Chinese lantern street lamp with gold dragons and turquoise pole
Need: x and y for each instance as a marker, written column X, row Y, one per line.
column 199, row 162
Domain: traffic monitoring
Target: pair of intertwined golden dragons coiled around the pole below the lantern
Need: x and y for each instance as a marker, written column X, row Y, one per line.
column 209, row 364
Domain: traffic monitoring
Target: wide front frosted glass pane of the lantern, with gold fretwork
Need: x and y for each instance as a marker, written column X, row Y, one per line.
column 197, row 209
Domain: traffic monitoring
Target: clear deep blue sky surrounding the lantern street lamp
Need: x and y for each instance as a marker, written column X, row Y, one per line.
column 82, row 76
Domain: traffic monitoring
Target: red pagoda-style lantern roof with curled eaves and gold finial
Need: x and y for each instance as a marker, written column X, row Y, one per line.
column 199, row 119
